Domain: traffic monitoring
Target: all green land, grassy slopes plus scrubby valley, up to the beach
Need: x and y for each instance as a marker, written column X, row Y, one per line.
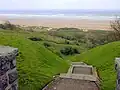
column 47, row 53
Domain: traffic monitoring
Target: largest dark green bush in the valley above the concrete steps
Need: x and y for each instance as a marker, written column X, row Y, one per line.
column 69, row 51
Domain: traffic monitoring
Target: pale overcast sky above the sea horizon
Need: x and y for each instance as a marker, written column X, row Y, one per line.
column 58, row 4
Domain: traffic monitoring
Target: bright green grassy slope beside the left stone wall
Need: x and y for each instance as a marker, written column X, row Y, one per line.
column 36, row 64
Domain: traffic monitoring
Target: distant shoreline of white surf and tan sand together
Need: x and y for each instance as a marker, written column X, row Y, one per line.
column 57, row 20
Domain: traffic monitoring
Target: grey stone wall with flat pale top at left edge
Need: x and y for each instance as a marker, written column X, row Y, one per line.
column 8, row 72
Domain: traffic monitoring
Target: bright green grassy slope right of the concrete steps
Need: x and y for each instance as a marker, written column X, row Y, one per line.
column 103, row 57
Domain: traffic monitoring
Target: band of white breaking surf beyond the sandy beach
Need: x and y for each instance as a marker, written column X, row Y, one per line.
column 62, row 16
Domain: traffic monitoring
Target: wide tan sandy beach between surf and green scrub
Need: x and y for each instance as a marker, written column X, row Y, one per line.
column 61, row 22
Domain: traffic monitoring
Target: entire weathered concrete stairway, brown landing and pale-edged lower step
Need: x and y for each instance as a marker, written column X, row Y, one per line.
column 84, row 78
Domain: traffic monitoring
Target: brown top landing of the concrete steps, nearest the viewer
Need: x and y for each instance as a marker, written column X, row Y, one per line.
column 72, row 84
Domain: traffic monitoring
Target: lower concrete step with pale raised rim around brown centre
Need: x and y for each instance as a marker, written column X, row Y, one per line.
column 82, row 72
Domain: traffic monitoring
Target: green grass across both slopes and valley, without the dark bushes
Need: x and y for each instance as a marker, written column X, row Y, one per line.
column 36, row 64
